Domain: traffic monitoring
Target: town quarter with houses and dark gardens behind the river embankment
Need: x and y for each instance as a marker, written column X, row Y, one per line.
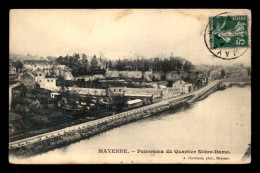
column 45, row 92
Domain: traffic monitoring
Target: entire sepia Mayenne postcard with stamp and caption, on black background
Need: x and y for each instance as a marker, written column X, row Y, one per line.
column 130, row 86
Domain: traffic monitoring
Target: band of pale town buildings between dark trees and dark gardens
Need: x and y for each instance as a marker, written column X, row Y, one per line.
column 145, row 86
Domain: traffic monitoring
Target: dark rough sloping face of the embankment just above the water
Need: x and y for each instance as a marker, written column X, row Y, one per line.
column 71, row 136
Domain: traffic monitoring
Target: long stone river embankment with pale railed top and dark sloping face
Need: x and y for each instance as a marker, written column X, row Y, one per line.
column 63, row 137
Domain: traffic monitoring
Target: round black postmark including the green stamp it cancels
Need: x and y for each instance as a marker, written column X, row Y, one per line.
column 227, row 35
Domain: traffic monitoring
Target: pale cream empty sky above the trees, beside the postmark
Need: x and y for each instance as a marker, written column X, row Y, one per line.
column 115, row 33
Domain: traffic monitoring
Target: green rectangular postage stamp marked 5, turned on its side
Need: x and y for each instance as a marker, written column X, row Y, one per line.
column 229, row 31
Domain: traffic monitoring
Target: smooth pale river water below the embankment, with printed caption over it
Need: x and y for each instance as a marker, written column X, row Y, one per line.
column 222, row 121
